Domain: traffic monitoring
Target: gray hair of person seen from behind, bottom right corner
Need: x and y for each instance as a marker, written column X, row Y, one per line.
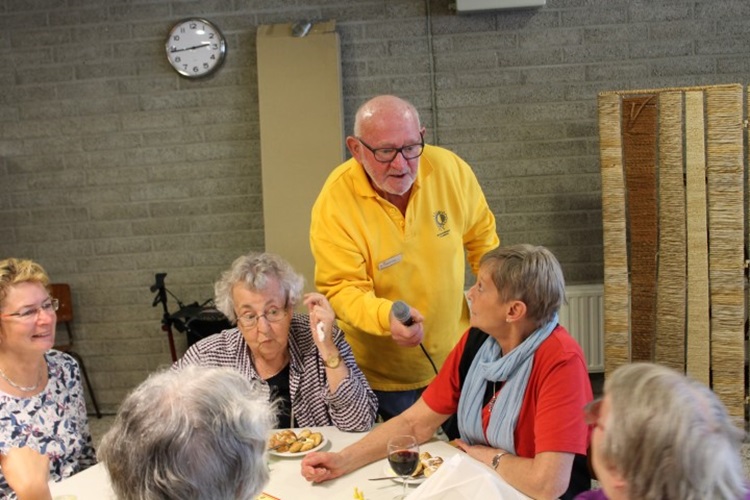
column 670, row 437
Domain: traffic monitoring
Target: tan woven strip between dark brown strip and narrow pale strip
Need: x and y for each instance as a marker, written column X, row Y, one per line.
column 669, row 345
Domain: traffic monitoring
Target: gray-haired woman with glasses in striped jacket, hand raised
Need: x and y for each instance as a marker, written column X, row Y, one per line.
column 303, row 359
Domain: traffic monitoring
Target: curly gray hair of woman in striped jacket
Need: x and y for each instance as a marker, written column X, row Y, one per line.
column 254, row 270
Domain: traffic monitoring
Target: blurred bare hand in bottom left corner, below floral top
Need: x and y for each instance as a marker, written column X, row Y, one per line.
column 27, row 472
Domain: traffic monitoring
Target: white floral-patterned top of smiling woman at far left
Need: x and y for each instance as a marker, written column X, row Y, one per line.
column 53, row 422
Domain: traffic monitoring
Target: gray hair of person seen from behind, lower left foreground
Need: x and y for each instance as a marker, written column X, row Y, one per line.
column 197, row 433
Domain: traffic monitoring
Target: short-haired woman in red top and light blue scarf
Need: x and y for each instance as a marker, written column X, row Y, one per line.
column 518, row 404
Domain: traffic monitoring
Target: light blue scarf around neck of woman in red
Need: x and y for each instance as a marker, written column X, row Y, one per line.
column 491, row 365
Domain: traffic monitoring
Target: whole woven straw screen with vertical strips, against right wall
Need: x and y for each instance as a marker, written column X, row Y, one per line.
column 711, row 211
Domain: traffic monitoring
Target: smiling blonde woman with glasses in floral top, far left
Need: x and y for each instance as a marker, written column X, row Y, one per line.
column 41, row 396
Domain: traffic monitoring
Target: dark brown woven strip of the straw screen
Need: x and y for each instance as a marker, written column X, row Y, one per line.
column 639, row 126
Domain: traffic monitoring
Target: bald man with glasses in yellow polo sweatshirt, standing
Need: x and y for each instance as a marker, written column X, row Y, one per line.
column 395, row 222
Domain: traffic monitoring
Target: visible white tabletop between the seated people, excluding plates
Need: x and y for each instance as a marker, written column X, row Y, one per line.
column 286, row 481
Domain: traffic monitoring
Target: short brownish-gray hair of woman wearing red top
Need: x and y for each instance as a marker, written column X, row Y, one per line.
column 530, row 274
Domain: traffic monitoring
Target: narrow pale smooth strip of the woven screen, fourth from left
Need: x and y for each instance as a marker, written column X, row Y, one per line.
column 698, row 319
